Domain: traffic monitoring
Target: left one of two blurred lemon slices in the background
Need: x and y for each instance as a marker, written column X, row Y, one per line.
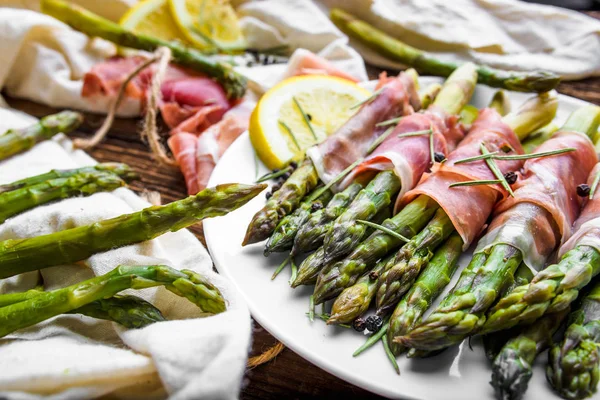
column 153, row 17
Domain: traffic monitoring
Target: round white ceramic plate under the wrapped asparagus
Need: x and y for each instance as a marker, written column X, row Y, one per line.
column 457, row 373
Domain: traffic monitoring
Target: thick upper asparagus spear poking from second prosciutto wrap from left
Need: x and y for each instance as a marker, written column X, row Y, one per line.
column 345, row 233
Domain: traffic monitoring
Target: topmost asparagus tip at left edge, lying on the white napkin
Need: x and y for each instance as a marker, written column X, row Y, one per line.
column 16, row 141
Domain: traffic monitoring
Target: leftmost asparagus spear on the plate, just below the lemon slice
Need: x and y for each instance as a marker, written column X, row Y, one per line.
column 283, row 202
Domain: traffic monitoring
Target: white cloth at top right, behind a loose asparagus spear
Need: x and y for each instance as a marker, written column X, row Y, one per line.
column 507, row 34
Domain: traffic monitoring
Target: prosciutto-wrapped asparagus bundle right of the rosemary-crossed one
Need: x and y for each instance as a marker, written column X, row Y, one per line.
column 529, row 212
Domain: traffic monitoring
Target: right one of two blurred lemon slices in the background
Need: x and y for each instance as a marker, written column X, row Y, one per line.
column 208, row 24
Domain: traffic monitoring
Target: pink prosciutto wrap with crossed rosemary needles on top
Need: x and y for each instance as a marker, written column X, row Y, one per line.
column 469, row 206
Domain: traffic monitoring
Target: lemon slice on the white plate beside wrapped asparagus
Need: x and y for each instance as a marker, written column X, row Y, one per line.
column 278, row 128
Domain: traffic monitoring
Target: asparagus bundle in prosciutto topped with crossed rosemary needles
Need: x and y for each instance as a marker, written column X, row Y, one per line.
column 417, row 216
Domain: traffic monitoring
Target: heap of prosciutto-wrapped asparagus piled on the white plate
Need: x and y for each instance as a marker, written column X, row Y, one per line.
column 383, row 266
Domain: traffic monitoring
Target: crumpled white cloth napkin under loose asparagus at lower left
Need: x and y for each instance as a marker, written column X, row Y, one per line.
column 75, row 357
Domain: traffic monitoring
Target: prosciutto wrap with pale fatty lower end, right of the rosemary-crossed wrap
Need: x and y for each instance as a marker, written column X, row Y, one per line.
column 539, row 217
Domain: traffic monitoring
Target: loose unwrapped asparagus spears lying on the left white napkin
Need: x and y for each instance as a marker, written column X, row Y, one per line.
column 98, row 297
